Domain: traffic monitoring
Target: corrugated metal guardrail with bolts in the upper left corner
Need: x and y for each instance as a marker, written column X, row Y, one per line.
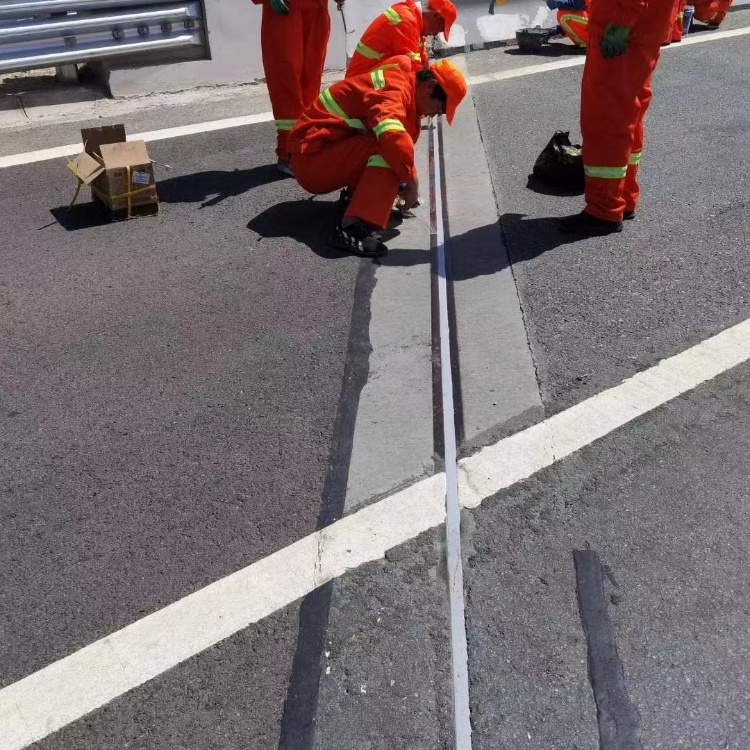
column 61, row 32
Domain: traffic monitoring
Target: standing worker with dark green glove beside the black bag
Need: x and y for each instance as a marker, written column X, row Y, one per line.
column 625, row 40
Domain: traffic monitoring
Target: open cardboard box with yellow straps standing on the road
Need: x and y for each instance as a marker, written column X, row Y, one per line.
column 119, row 172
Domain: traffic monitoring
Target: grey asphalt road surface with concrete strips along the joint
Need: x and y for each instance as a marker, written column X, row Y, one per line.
column 183, row 396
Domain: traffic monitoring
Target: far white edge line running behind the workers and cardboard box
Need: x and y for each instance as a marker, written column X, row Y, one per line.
column 60, row 152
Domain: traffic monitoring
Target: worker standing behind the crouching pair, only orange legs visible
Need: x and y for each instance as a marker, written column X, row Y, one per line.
column 294, row 41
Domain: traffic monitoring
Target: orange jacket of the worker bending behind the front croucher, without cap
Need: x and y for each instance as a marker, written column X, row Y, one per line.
column 397, row 31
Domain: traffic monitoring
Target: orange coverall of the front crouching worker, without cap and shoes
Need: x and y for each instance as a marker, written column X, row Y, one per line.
column 360, row 134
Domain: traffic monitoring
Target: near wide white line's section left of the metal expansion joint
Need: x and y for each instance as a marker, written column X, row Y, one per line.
column 70, row 688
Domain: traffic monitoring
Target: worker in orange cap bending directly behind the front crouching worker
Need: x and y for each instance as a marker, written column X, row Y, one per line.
column 402, row 30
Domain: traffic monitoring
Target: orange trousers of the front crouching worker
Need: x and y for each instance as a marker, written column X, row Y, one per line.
column 344, row 163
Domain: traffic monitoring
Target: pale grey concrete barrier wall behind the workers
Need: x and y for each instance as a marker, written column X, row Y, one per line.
column 234, row 39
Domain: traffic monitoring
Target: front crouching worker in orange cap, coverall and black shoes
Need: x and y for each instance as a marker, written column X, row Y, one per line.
column 359, row 135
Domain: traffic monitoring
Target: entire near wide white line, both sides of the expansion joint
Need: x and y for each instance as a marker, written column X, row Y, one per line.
column 67, row 690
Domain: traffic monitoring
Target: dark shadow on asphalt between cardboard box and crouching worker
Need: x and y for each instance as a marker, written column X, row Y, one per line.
column 216, row 186
